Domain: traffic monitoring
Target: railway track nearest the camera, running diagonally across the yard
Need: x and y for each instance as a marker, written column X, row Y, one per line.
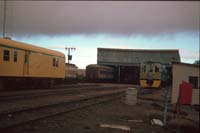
column 20, row 117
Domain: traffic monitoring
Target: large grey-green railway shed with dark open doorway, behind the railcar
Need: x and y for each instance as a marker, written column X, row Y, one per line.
column 126, row 62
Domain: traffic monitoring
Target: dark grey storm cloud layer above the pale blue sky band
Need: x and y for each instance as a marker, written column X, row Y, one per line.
column 124, row 18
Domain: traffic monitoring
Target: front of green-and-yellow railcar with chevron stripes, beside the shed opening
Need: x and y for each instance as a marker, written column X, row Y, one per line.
column 150, row 75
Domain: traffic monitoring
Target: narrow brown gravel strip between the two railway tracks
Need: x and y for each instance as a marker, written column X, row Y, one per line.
column 14, row 105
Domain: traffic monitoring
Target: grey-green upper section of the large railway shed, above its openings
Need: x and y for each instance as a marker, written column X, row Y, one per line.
column 110, row 56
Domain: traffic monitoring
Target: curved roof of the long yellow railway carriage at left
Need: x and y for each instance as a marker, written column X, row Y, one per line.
column 23, row 46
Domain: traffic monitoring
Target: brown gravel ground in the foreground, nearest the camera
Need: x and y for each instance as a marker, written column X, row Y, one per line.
column 88, row 120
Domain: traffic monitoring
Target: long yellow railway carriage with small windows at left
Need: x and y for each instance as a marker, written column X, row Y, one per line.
column 29, row 64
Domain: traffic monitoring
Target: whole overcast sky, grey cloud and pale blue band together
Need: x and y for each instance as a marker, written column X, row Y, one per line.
column 88, row 25
